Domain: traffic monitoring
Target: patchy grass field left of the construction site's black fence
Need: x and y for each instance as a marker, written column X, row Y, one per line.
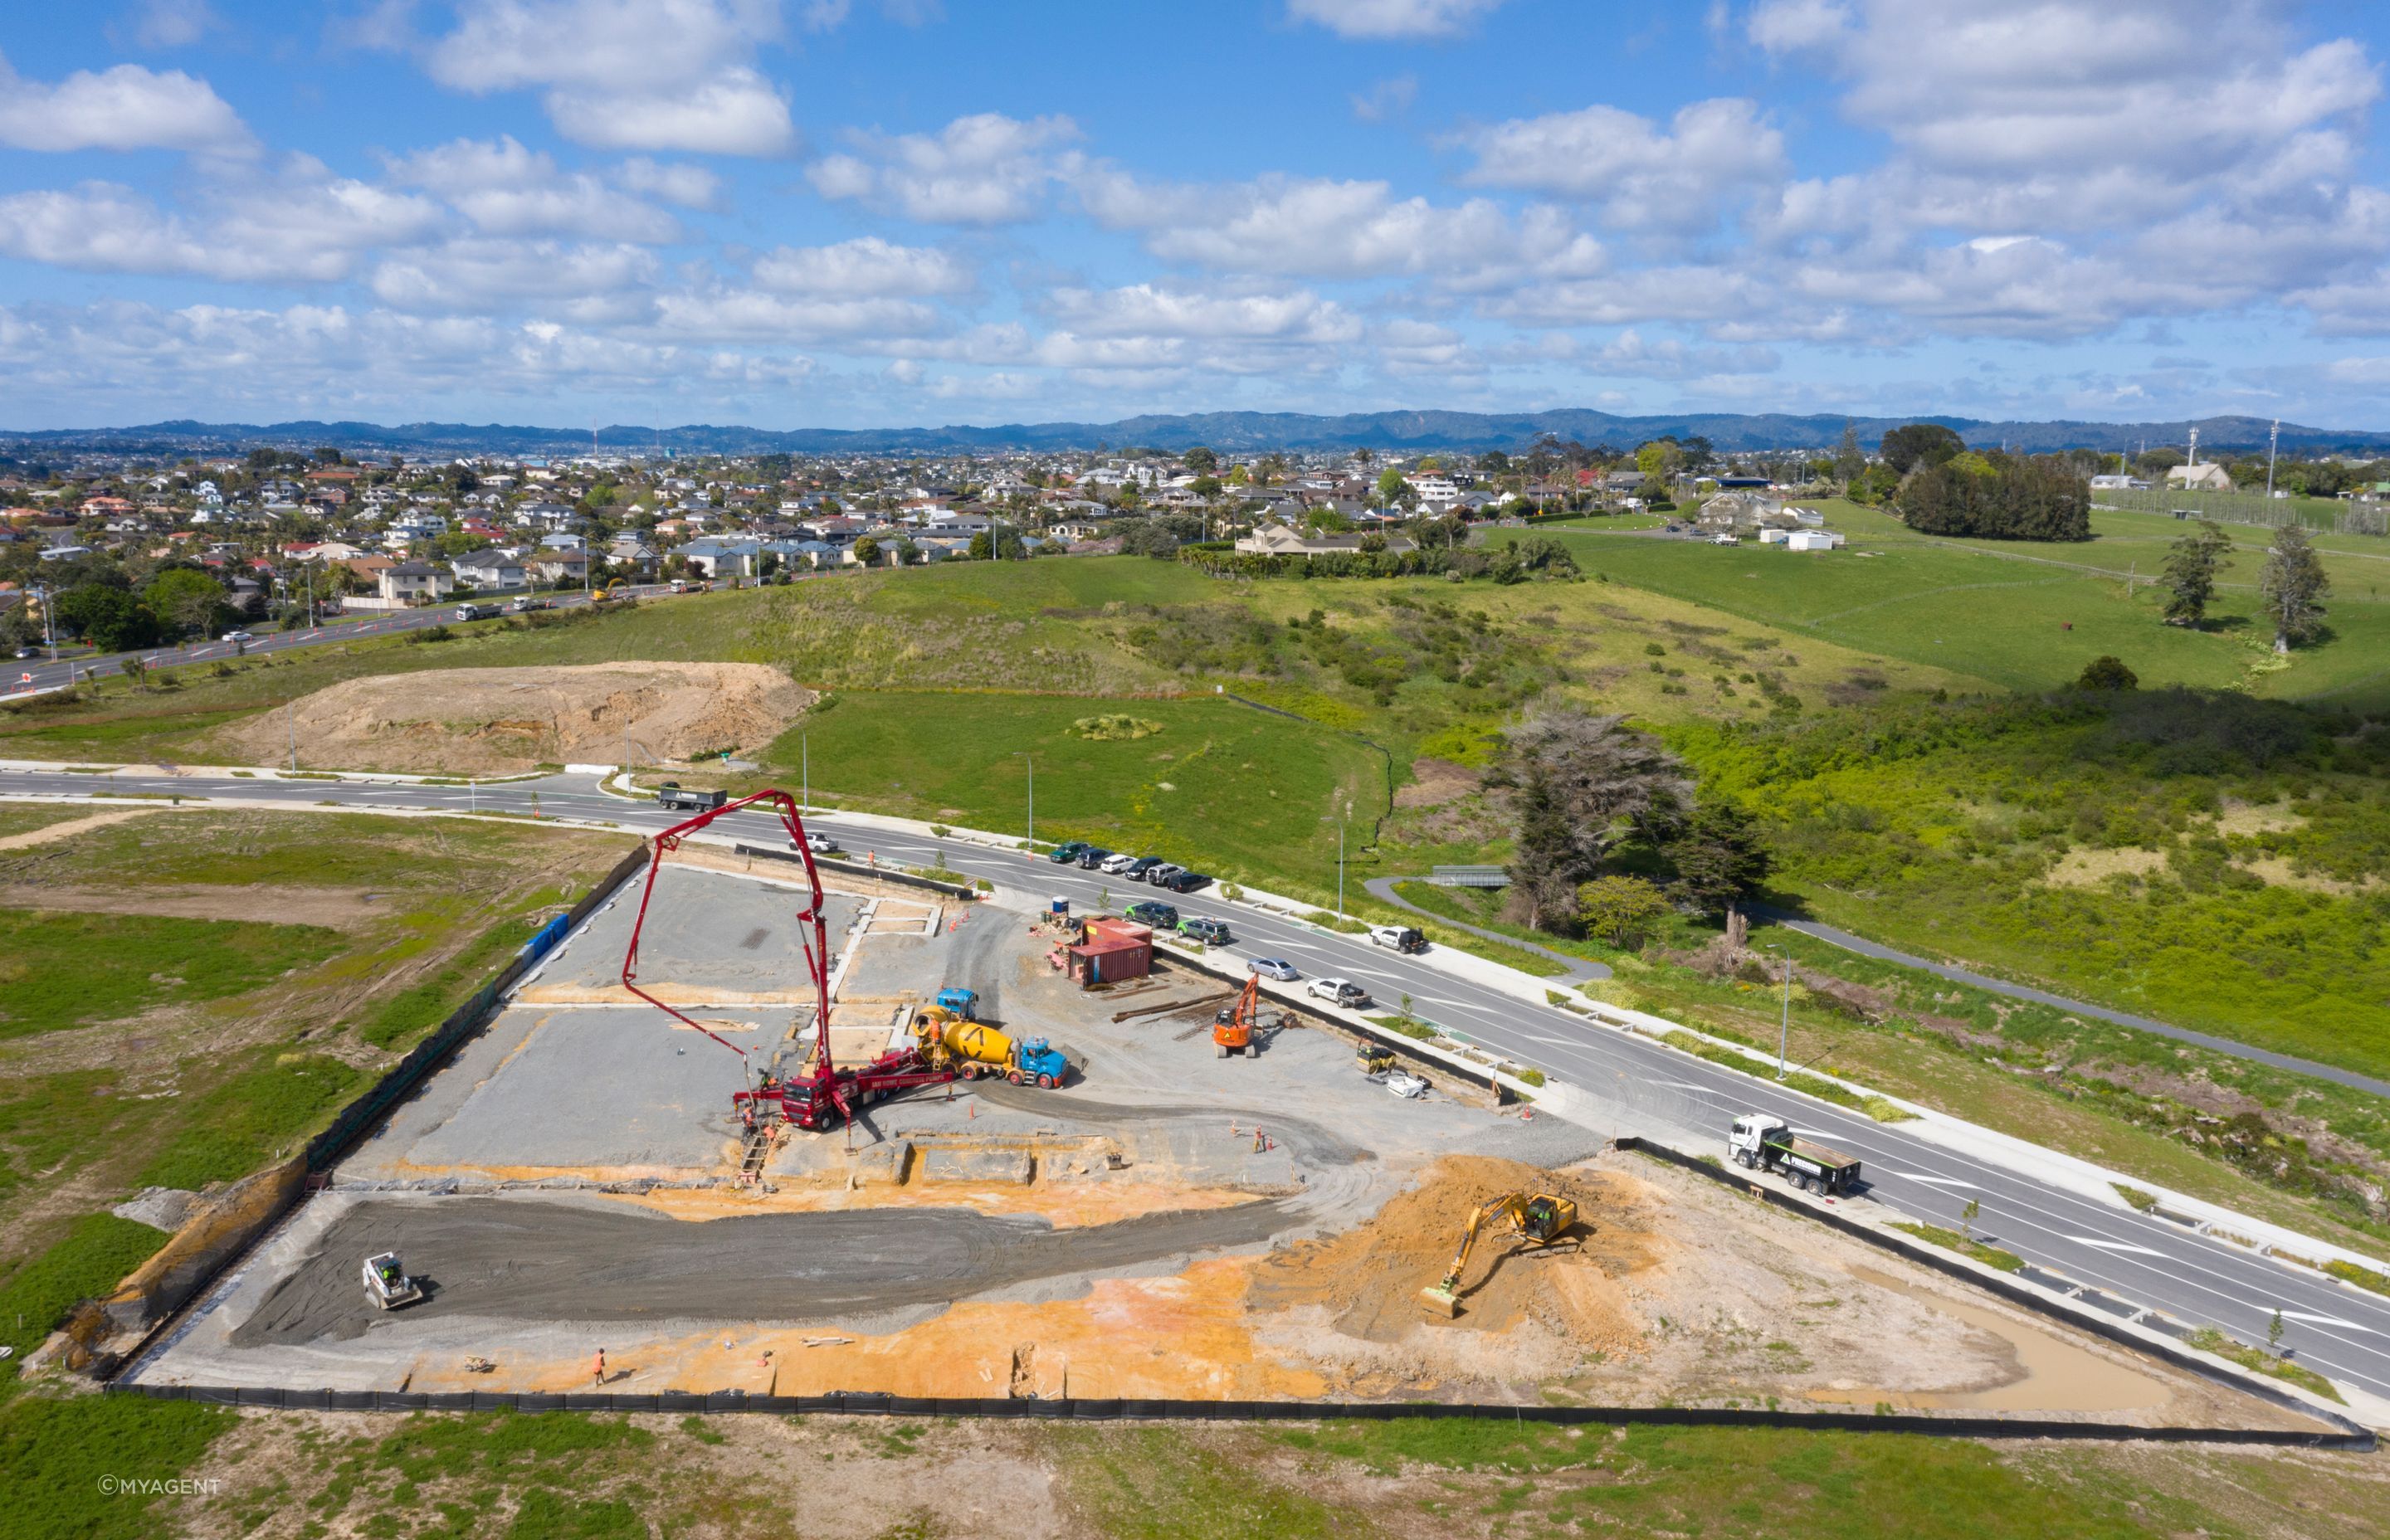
column 250, row 1034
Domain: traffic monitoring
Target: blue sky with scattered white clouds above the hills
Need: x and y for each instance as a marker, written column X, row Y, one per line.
column 917, row 212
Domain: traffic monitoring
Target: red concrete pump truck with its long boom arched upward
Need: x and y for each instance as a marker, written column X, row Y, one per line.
column 823, row 1096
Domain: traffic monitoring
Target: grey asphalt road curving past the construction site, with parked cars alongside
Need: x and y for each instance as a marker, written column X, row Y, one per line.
column 2140, row 1259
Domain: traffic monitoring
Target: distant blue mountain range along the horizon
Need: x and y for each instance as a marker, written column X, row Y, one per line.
column 1232, row 432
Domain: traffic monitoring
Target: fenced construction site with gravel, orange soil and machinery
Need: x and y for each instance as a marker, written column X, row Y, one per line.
column 1012, row 1173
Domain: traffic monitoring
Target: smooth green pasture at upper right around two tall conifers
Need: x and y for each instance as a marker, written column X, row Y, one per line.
column 2026, row 616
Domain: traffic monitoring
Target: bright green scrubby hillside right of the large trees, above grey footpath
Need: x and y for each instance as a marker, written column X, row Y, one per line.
column 2205, row 860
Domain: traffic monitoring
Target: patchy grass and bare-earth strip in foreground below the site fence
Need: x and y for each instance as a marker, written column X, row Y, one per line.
column 603, row 1479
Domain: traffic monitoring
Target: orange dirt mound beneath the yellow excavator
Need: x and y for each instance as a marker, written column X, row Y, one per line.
column 1371, row 1278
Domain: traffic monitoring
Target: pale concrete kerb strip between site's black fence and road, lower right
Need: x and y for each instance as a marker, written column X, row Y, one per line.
column 2021, row 1292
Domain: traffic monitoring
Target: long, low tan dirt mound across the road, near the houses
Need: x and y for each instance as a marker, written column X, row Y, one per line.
column 508, row 721
